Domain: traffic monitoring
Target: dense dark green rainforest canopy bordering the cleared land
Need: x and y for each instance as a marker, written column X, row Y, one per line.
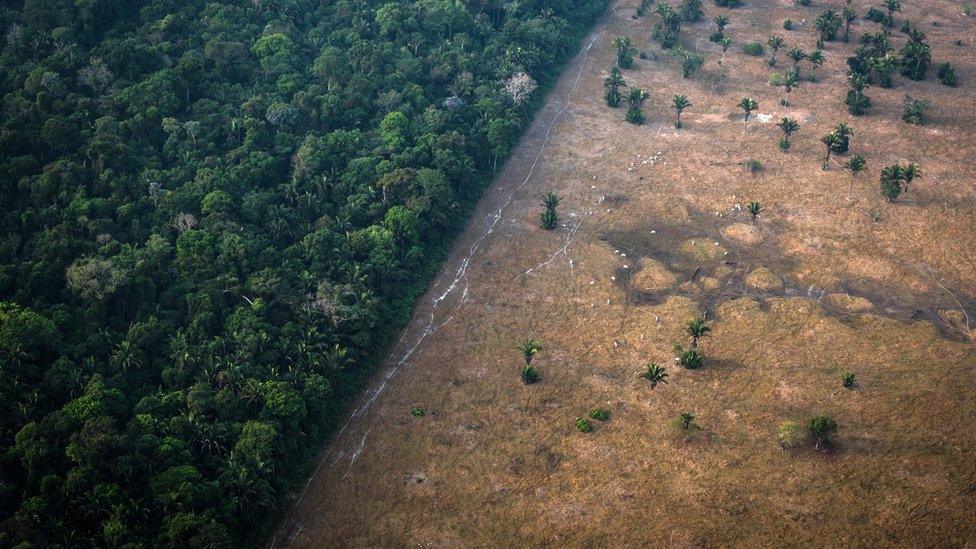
column 215, row 216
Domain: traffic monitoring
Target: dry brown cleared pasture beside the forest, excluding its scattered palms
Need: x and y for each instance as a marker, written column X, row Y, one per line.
column 820, row 285
